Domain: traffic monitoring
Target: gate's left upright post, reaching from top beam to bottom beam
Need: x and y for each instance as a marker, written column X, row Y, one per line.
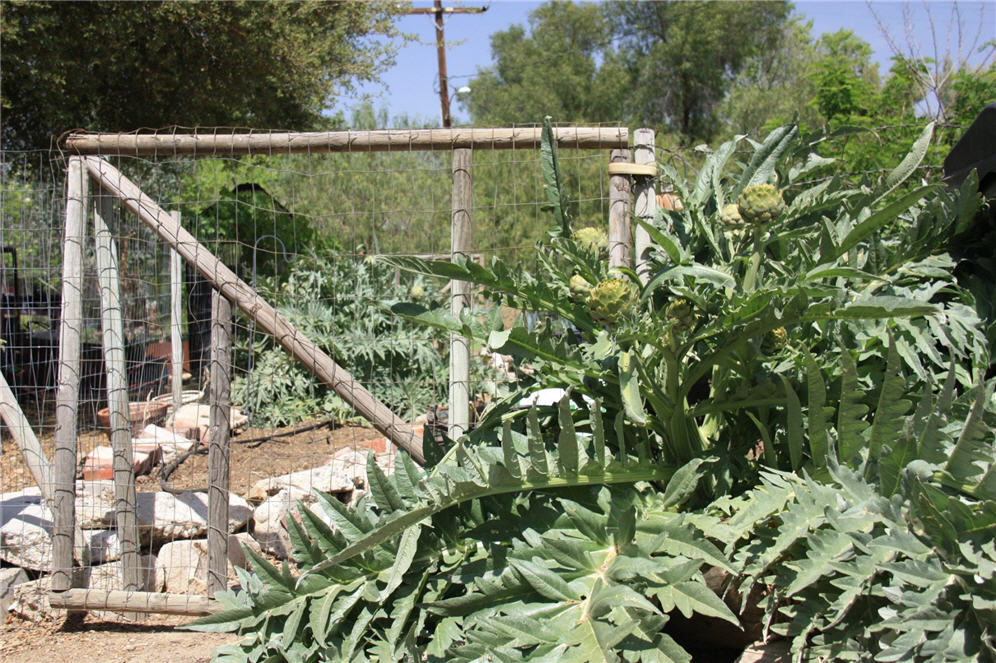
column 67, row 394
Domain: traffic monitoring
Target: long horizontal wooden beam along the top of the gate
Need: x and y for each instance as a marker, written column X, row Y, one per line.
column 390, row 140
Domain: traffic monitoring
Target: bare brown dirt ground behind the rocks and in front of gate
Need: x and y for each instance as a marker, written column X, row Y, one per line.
column 155, row 639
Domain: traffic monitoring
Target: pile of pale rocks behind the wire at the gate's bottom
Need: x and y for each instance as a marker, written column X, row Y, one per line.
column 172, row 529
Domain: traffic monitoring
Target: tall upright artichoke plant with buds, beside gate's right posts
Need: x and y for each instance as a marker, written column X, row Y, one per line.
column 856, row 261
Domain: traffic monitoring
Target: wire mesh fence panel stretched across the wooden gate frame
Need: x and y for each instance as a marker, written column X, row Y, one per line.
column 305, row 232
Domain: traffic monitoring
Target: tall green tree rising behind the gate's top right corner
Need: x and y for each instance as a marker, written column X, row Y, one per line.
column 684, row 56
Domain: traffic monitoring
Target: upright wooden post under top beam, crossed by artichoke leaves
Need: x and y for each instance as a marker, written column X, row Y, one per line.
column 460, row 245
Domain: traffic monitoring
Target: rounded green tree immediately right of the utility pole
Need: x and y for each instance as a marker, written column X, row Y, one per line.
column 579, row 80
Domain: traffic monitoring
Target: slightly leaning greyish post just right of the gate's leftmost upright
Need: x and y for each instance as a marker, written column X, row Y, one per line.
column 112, row 326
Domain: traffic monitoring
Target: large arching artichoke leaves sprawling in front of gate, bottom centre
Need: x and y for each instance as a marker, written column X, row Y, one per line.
column 530, row 549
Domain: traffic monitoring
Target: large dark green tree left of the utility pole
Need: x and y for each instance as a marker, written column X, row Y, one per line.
column 113, row 66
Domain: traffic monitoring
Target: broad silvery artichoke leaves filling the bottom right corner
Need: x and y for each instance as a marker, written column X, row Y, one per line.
column 889, row 557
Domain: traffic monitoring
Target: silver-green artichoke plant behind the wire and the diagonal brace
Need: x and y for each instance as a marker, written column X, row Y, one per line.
column 342, row 303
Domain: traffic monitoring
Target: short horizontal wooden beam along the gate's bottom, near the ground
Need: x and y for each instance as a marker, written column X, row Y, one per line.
column 124, row 601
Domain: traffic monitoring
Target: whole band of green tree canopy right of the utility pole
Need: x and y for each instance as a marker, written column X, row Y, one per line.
column 697, row 71
